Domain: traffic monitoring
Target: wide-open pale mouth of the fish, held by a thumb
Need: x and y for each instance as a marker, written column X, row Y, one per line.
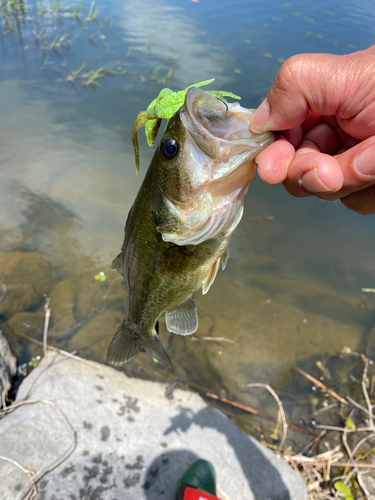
column 219, row 128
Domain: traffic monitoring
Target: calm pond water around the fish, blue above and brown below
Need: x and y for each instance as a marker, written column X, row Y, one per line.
column 291, row 293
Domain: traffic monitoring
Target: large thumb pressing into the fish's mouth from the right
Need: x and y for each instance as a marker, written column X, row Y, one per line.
column 326, row 84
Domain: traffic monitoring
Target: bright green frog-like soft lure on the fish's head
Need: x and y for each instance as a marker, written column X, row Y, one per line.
column 165, row 106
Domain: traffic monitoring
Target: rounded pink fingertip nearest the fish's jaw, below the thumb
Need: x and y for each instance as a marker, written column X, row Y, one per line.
column 274, row 161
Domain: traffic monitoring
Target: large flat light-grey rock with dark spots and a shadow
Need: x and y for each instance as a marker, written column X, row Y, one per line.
column 131, row 442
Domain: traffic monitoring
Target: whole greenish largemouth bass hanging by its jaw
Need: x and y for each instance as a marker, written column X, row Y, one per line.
column 178, row 229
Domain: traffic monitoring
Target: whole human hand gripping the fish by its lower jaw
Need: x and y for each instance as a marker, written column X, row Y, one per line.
column 325, row 106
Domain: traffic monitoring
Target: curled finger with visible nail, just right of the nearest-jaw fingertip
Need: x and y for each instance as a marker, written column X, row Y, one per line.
column 313, row 172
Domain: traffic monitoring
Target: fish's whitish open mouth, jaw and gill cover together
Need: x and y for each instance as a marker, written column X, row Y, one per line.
column 219, row 161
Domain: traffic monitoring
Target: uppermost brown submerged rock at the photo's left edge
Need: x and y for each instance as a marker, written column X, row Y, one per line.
column 26, row 277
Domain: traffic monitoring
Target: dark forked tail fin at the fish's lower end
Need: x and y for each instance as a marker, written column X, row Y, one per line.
column 127, row 343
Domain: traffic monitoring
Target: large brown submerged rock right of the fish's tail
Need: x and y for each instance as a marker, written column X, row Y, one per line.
column 269, row 336
